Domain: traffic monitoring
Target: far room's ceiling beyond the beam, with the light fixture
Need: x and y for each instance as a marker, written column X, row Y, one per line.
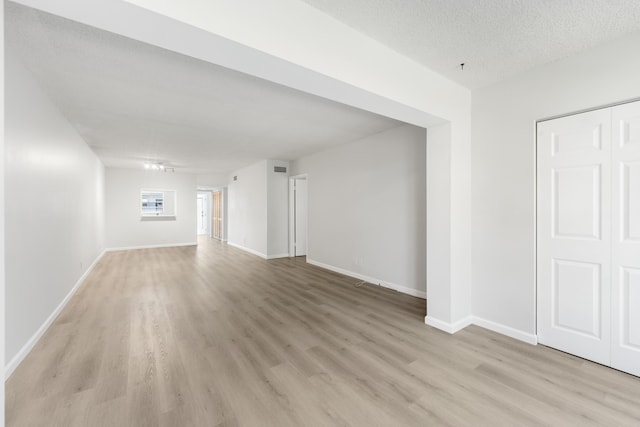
column 133, row 102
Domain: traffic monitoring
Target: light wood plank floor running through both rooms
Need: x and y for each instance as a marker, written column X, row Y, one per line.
column 212, row 336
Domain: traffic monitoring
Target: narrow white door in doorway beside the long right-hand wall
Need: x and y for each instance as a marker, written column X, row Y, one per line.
column 298, row 215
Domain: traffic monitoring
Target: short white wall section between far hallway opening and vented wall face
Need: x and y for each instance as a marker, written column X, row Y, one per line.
column 248, row 209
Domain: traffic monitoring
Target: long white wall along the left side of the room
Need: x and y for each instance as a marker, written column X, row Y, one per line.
column 54, row 211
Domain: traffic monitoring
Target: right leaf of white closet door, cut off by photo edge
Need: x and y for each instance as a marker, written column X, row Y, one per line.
column 625, row 351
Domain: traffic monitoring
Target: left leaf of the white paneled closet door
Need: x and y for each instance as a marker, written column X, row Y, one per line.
column 574, row 234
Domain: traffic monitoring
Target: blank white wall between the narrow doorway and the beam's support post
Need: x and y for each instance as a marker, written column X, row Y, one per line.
column 367, row 208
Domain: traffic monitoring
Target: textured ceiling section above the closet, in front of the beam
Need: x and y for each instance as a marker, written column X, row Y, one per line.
column 495, row 39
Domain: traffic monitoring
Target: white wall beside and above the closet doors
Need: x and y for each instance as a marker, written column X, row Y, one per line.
column 503, row 169
